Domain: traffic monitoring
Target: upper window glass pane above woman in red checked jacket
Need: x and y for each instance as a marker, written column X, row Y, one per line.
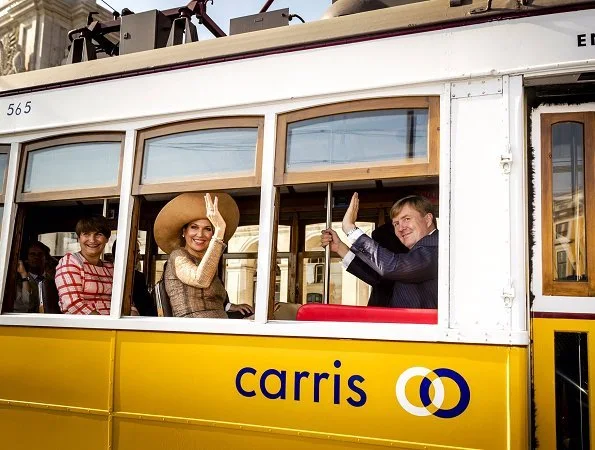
column 73, row 166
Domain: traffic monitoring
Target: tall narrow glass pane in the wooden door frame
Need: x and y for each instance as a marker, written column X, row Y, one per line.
column 568, row 180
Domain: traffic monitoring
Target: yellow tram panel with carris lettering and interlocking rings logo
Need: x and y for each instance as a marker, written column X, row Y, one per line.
column 253, row 380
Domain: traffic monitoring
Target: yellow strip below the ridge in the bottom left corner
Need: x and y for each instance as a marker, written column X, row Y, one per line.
column 33, row 429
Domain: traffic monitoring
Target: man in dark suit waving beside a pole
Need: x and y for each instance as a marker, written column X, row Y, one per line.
column 415, row 274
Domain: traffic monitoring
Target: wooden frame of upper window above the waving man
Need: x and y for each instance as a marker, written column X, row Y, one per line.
column 367, row 170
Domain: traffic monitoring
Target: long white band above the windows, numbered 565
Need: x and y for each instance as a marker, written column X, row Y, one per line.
column 549, row 44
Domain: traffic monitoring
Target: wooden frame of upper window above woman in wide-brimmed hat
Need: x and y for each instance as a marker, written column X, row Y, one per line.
column 219, row 181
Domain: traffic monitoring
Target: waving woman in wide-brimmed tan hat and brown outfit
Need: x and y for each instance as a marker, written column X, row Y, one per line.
column 193, row 229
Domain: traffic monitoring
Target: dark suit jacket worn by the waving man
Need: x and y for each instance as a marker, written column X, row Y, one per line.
column 415, row 274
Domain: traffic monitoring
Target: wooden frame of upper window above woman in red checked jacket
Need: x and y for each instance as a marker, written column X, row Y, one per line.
column 83, row 193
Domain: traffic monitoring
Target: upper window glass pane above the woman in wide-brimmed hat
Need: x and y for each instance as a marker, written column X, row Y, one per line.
column 196, row 154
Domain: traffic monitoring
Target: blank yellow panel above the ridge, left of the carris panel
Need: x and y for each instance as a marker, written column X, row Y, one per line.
column 57, row 366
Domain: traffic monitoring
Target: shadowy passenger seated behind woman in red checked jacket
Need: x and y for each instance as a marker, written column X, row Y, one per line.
column 35, row 281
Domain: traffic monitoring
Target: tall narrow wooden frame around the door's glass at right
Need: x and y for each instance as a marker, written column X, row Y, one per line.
column 551, row 286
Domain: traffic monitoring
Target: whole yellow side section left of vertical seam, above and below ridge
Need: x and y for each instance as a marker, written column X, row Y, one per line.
column 55, row 388
